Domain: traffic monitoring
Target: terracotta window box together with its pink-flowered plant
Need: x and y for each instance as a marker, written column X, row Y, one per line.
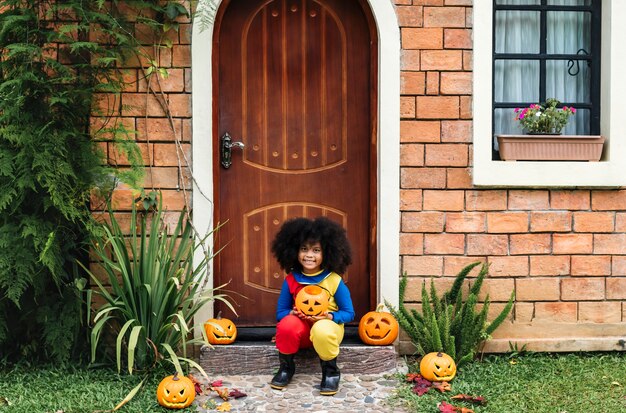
column 543, row 140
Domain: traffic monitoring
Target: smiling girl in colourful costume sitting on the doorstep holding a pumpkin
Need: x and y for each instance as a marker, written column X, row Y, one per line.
column 312, row 252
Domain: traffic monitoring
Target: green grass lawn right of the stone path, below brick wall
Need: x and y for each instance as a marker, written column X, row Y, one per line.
column 560, row 383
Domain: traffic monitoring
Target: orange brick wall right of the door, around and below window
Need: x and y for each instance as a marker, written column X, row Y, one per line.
column 561, row 250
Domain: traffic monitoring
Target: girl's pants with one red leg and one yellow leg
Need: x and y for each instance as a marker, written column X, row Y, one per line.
column 325, row 336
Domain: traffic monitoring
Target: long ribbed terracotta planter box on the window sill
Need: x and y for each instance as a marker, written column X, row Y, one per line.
column 550, row 147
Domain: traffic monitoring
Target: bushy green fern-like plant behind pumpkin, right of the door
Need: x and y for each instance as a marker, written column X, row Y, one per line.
column 450, row 323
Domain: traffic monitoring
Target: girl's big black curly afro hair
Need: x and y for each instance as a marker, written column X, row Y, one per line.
column 336, row 251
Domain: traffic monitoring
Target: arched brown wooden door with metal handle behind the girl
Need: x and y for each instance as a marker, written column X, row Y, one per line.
column 295, row 85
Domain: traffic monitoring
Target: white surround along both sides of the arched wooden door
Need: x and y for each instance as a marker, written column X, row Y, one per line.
column 387, row 204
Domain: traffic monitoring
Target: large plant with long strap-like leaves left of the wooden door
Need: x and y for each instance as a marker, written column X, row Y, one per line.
column 154, row 290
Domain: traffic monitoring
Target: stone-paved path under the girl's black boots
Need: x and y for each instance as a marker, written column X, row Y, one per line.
column 357, row 394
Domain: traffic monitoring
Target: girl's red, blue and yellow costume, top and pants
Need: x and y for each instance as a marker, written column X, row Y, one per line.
column 325, row 336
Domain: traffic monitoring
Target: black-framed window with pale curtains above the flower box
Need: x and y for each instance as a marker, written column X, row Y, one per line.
column 546, row 49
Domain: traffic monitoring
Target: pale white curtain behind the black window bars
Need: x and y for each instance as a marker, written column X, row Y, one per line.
column 518, row 80
